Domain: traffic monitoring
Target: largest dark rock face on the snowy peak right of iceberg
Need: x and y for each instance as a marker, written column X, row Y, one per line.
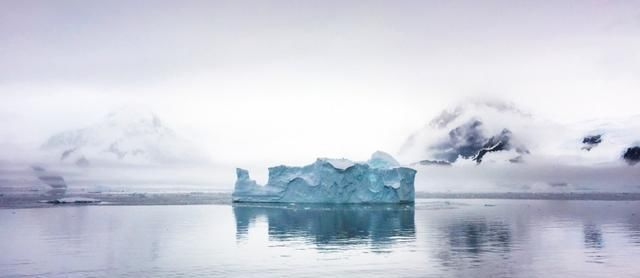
column 468, row 141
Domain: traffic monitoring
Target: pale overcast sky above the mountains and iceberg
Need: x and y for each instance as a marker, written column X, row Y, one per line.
column 292, row 80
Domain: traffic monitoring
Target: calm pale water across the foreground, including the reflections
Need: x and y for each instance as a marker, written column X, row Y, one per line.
column 433, row 238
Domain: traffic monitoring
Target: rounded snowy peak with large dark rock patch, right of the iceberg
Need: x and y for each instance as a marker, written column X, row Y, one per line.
column 471, row 131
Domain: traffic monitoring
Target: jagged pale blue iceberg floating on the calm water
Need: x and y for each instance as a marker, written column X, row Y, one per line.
column 379, row 180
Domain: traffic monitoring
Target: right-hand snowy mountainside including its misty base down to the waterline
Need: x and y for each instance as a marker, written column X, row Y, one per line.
column 496, row 147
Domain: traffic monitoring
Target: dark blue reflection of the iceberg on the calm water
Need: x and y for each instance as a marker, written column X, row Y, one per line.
column 377, row 225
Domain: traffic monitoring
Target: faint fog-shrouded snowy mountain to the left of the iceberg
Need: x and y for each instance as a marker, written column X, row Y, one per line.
column 125, row 136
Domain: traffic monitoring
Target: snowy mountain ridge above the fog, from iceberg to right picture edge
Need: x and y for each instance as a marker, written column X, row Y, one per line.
column 495, row 132
